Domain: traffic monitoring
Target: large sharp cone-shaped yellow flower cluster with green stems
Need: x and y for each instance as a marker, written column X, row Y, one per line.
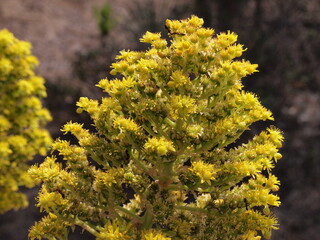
column 164, row 134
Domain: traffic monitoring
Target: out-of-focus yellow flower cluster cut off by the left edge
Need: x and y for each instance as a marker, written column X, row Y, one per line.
column 22, row 118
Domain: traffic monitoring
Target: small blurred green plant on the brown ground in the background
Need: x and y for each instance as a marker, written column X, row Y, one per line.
column 104, row 20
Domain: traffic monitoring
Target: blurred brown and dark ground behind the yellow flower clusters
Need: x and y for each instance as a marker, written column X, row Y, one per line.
column 76, row 42
